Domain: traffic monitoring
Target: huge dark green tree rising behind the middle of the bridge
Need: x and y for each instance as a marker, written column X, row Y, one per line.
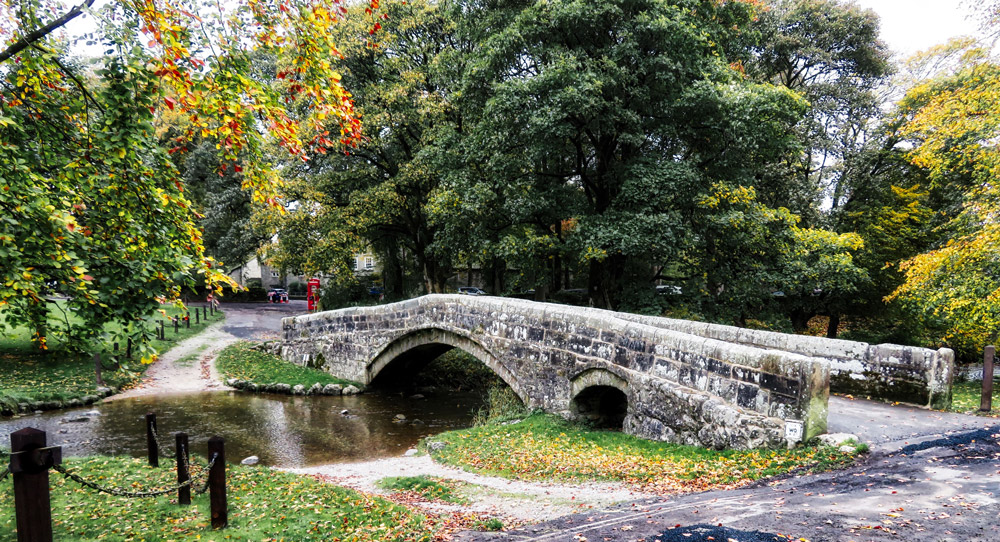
column 630, row 103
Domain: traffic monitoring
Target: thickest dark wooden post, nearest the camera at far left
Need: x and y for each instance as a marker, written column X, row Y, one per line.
column 30, row 462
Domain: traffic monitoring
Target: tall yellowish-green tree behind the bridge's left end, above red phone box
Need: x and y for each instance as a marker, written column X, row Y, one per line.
column 376, row 195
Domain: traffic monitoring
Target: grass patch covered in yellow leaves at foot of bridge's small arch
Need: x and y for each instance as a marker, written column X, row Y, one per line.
column 543, row 447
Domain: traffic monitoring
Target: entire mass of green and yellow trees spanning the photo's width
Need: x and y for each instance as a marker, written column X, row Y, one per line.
column 740, row 155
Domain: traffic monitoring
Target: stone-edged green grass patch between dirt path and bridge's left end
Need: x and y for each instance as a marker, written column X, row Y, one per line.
column 241, row 361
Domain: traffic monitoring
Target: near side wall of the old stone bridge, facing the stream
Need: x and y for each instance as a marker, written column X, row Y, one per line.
column 680, row 387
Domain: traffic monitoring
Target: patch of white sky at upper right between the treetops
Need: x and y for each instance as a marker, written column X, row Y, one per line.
column 909, row 26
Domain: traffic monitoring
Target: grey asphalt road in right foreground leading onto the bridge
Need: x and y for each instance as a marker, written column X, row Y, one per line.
column 931, row 477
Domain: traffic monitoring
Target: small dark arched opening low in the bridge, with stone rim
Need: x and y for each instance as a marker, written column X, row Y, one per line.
column 600, row 397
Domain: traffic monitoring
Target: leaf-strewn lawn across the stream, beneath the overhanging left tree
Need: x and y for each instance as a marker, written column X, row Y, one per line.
column 53, row 379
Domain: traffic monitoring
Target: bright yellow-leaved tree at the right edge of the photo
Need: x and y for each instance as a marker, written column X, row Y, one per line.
column 954, row 127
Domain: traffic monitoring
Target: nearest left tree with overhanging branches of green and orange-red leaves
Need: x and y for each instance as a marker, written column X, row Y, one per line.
column 92, row 205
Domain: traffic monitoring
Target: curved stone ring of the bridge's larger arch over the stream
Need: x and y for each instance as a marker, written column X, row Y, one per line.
column 429, row 343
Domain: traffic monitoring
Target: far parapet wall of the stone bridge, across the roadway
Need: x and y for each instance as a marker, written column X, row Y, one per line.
column 891, row 372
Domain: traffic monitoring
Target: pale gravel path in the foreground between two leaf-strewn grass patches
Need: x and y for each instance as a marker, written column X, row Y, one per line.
column 488, row 495
